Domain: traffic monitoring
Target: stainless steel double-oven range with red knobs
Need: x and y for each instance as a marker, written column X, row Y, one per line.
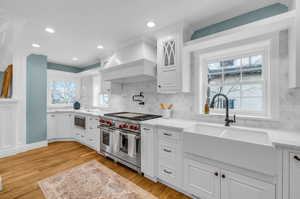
column 121, row 137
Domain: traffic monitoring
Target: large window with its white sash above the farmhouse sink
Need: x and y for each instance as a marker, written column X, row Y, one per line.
column 241, row 76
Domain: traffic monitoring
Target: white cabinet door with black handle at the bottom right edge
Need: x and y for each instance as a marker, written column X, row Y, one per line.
column 294, row 176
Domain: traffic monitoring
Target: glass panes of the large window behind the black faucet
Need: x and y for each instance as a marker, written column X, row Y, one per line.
column 240, row 79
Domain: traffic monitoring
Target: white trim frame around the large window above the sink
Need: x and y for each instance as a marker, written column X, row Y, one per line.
column 269, row 50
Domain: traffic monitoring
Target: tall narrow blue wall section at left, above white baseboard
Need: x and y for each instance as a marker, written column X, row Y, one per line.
column 36, row 99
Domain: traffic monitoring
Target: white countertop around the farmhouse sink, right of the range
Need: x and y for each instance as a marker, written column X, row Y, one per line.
column 279, row 138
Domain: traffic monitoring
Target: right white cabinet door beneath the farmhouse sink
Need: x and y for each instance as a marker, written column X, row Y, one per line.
column 234, row 186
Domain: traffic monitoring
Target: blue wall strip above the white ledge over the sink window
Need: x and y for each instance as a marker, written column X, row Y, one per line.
column 249, row 17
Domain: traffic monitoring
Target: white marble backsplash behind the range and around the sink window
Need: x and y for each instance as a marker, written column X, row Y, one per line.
column 184, row 102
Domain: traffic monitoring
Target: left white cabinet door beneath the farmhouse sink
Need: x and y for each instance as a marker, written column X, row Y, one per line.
column 201, row 180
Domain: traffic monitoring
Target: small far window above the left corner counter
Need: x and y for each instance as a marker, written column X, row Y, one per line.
column 62, row 92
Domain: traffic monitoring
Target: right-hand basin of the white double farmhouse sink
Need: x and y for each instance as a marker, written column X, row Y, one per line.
column 255, row 137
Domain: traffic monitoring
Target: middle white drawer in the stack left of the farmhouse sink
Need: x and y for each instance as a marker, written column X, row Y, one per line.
column 167, row 151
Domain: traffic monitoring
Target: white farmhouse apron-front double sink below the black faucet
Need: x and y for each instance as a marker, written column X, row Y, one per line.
column 247, row 148
